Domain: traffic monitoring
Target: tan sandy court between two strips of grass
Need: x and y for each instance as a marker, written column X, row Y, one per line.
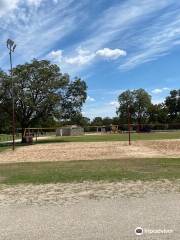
column 92, row 151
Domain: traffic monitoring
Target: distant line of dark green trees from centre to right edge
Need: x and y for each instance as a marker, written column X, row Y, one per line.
column 142, row 111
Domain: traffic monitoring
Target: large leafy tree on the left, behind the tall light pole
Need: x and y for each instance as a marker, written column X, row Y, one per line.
column 41, row 91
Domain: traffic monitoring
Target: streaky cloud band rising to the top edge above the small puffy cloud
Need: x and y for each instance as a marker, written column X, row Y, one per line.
column 120, row 20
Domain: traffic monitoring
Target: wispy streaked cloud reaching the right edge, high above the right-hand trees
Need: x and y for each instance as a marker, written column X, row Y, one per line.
column 157, row 40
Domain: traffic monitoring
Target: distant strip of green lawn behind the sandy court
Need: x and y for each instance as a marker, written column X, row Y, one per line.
column 113, row 137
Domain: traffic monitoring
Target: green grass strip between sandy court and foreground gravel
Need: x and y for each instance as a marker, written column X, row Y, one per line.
column 96, row 170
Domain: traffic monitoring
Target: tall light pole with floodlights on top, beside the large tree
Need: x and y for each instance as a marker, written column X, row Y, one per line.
column 11, row 46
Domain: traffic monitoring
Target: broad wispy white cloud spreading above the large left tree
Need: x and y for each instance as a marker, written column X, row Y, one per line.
column 36, row 30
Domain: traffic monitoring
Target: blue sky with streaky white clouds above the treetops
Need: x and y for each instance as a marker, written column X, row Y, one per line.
column 113, row 45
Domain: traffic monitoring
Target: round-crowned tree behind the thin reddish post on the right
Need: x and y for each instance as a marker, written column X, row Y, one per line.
column 138, row 102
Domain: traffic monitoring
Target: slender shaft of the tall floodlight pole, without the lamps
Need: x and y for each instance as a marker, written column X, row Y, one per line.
column 13, row 110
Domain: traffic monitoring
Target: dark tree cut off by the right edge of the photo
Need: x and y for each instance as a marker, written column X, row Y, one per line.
column 172, row 102
